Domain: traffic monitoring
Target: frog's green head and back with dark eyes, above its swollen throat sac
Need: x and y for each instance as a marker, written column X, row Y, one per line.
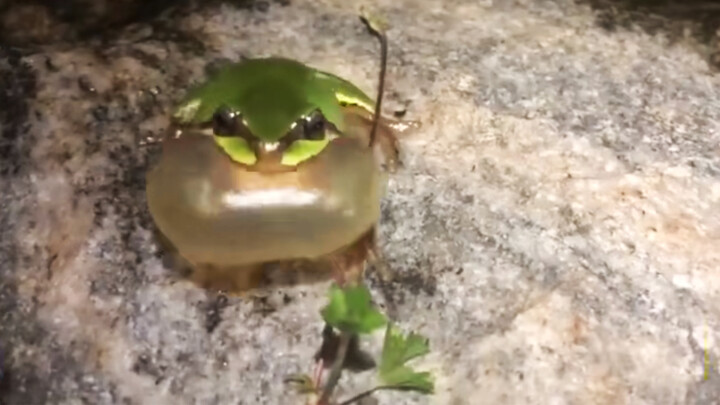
column 271, row 108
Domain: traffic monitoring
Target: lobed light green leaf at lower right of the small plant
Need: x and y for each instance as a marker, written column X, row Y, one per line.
column 398, row 350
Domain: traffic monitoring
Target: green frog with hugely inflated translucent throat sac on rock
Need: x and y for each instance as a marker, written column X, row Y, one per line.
column 272, row 163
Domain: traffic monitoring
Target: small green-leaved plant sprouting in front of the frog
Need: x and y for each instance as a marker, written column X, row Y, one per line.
column 348, row 315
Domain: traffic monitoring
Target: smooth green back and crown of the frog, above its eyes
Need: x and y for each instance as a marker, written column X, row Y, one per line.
column 271, row 94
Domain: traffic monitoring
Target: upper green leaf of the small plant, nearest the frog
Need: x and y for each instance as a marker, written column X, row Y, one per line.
column 350, row 310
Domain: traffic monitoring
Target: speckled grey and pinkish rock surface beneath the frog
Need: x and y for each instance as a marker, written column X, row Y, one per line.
column 554, row 230
